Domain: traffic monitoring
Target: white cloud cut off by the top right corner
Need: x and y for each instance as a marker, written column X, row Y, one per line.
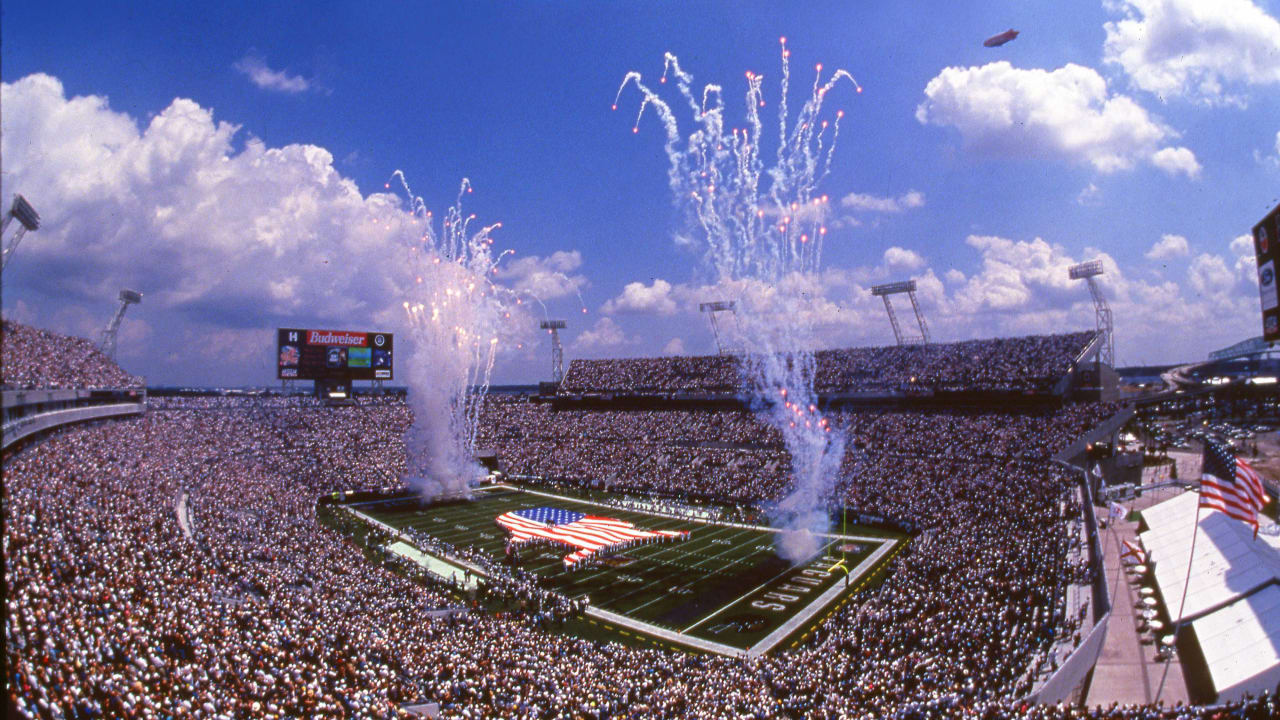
column 1205, row 51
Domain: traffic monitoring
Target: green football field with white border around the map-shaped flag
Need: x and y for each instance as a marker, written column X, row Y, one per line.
column 725, row 590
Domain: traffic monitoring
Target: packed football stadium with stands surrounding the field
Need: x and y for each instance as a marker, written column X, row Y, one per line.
column 973, row 560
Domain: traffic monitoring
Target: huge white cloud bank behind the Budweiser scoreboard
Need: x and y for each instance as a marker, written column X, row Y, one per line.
column 223, row 241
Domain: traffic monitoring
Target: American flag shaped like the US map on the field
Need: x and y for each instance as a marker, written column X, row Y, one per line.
column 591, row 535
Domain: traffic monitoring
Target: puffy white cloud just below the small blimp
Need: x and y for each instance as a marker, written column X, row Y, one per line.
column 1068, row 115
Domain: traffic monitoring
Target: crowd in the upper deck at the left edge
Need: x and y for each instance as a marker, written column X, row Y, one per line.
column 33, row 358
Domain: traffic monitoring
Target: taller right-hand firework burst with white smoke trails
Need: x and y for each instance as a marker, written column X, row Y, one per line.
column 764, row 240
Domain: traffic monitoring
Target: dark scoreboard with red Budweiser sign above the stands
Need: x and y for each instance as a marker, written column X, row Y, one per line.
column 333, row 356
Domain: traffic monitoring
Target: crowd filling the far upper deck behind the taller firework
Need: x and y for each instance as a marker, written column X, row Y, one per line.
column 1034, row 363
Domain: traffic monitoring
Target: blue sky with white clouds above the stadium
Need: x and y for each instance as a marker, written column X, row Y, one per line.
column 221, row 157
